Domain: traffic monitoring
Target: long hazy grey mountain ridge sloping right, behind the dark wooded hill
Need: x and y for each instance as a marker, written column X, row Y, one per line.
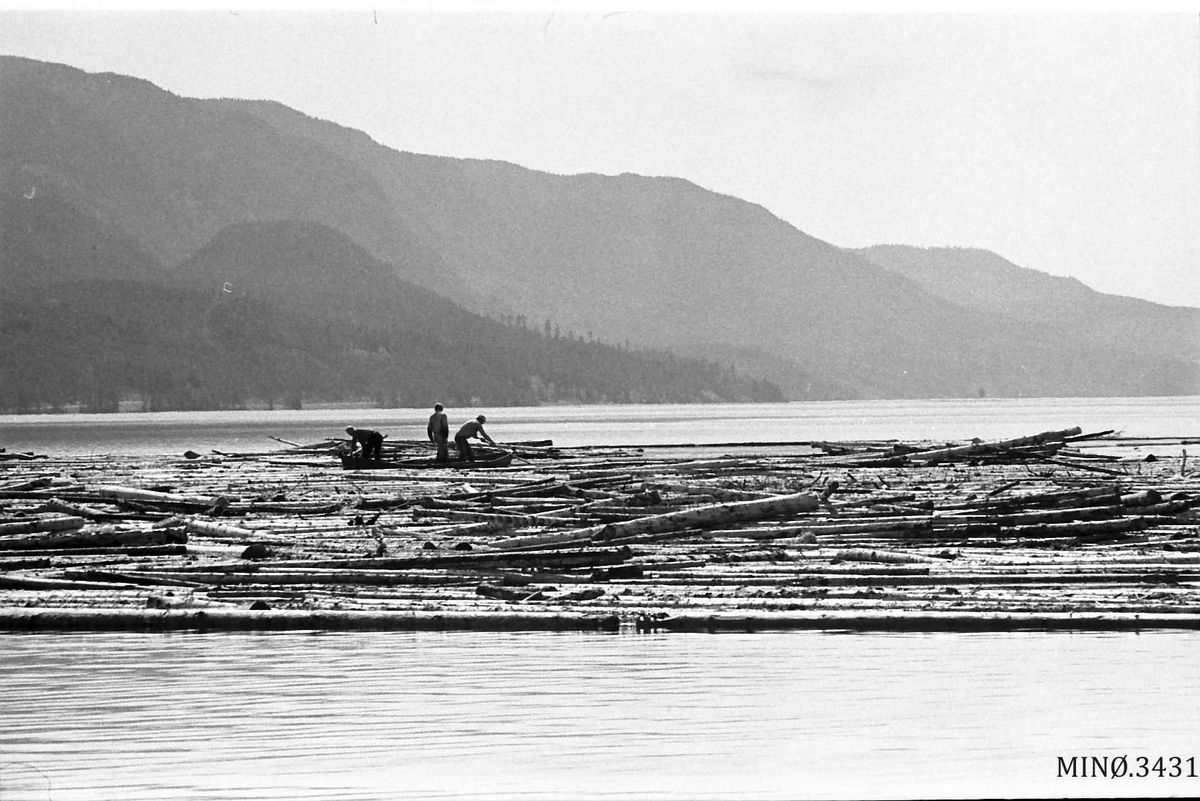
column 669, row 263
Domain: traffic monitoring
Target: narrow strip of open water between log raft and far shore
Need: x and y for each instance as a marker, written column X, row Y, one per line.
column 172, row 433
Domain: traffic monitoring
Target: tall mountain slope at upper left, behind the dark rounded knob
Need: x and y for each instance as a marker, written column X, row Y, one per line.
column 171, row 172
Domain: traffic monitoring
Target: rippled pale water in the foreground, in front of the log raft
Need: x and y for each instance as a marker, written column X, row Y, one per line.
column 548, row 716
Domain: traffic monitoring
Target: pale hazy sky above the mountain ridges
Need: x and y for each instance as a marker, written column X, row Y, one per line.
column 1069, row 144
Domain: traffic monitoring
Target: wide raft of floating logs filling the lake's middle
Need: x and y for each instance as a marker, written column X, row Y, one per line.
column 1027, row 533
